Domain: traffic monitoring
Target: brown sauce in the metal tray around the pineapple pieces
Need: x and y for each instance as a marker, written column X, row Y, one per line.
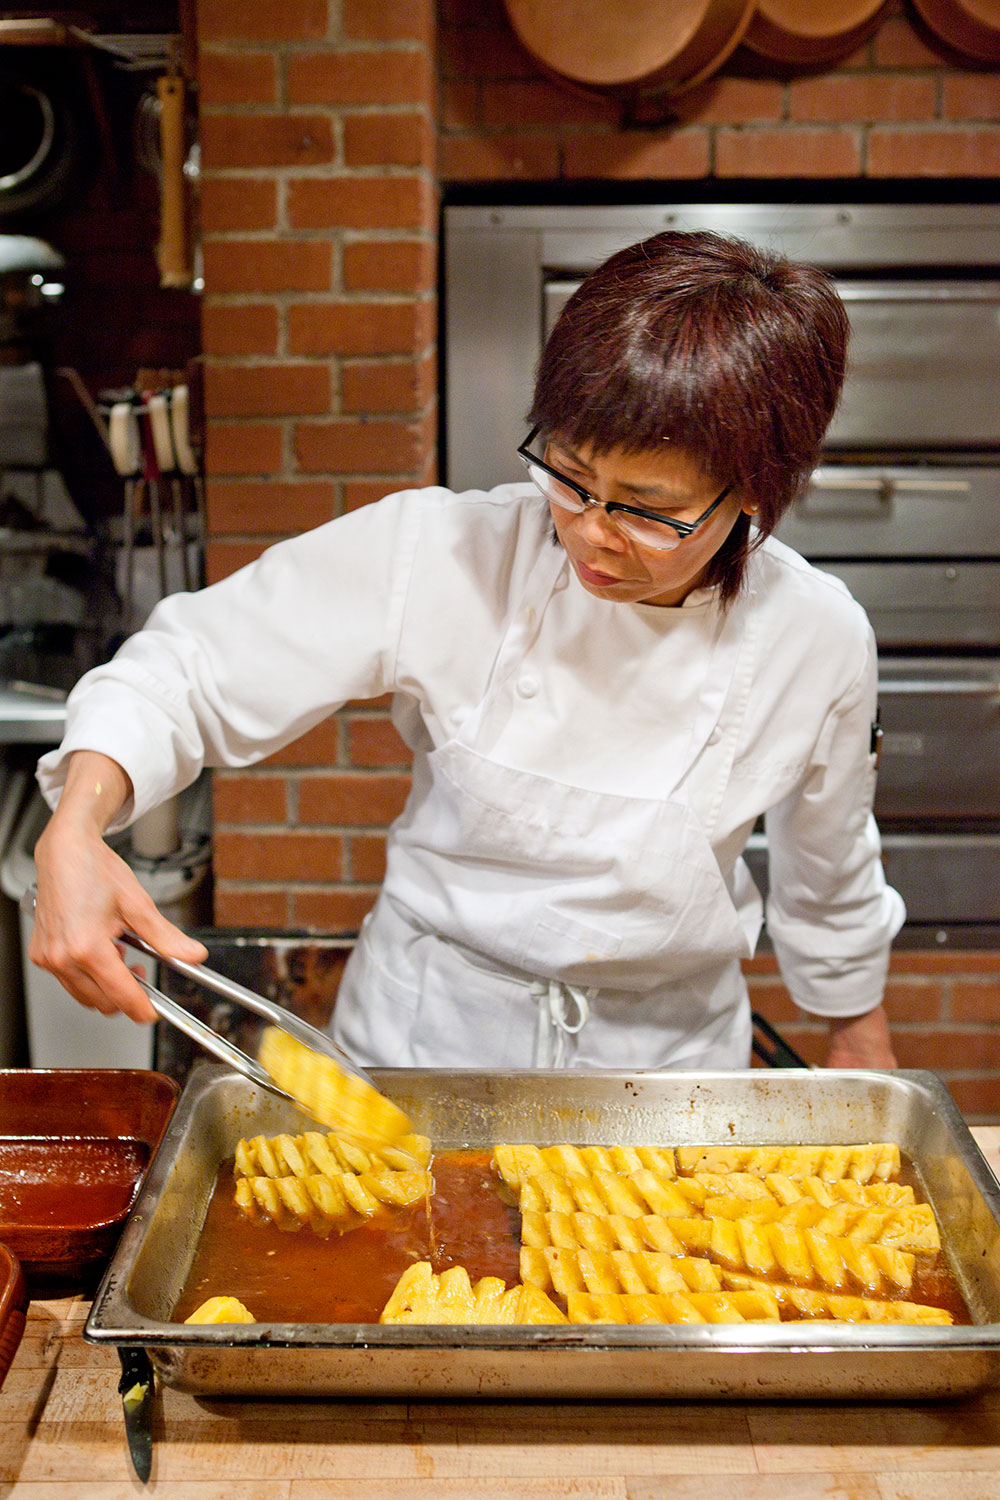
column 470, row 1220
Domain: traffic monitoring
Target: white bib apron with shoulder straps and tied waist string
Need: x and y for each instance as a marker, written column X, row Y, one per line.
column 531, row 923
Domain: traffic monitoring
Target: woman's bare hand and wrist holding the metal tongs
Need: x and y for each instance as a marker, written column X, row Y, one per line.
column 88, row 896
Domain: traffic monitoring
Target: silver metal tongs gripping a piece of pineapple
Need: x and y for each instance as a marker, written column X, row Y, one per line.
column 229, row 989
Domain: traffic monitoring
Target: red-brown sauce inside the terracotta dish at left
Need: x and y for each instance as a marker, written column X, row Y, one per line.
column 68, row 1181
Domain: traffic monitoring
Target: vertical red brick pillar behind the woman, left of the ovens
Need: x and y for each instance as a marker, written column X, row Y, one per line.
column 319, row 223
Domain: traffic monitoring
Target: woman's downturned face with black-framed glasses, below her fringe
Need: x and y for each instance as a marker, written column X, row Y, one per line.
column 608, row 562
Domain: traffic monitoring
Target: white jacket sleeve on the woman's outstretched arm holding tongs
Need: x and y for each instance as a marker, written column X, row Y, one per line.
column 235, row 673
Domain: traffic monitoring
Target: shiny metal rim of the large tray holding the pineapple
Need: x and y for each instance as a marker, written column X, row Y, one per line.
column 107, row 1321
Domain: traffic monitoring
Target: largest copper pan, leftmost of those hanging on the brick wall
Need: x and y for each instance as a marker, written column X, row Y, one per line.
column 627, row 47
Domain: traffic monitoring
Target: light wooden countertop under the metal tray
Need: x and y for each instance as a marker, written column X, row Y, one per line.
column 62, row 1438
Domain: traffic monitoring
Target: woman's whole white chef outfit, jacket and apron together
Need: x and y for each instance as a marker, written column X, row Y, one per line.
column 564, row 886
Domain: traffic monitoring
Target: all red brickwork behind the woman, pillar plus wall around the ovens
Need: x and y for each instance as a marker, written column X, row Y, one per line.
column 326, row 134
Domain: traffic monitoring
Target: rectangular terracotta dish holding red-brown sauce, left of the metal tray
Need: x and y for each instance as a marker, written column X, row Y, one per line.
column 74, row 1150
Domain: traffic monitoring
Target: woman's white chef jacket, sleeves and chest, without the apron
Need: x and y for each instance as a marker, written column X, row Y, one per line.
column 412, row 598
